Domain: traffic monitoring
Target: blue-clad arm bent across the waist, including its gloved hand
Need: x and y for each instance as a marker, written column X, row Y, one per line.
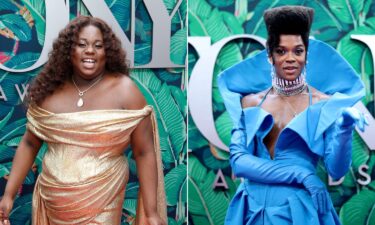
column 246, row 165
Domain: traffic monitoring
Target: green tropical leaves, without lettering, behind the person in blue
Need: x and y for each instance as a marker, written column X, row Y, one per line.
column 334, row 22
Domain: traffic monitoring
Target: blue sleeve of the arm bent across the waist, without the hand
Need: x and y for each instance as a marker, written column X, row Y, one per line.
column 246, row 165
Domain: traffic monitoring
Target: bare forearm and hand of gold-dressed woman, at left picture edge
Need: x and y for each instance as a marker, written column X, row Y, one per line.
column 22, row 162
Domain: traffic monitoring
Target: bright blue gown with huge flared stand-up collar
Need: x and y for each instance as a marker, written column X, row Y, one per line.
column 300, row 144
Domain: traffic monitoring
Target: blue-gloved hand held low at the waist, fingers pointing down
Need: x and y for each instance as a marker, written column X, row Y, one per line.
column 318, row 192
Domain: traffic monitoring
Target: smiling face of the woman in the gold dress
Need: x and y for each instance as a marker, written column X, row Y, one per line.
column 88, row 54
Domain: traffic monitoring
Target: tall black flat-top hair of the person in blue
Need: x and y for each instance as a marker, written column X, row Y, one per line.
column 287, row 20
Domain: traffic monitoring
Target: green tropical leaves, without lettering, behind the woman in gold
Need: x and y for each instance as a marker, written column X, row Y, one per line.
column 22, row 29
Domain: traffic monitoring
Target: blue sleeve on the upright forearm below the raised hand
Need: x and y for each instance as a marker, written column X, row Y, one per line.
column 338, row 149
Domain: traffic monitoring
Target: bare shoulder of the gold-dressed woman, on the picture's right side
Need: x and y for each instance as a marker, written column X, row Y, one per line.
column 130, row 95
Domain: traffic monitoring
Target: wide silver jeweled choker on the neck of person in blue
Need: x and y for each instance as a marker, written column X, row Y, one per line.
column 289, row 87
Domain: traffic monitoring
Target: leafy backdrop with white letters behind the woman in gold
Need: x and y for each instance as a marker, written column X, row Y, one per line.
column 154, row 35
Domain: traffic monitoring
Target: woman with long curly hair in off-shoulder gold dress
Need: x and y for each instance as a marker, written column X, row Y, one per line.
column 85, row 106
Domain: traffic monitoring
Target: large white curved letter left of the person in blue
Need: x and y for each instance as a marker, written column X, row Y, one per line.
column 200, row 84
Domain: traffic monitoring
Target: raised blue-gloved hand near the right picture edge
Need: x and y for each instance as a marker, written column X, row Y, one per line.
column 351, row 116
